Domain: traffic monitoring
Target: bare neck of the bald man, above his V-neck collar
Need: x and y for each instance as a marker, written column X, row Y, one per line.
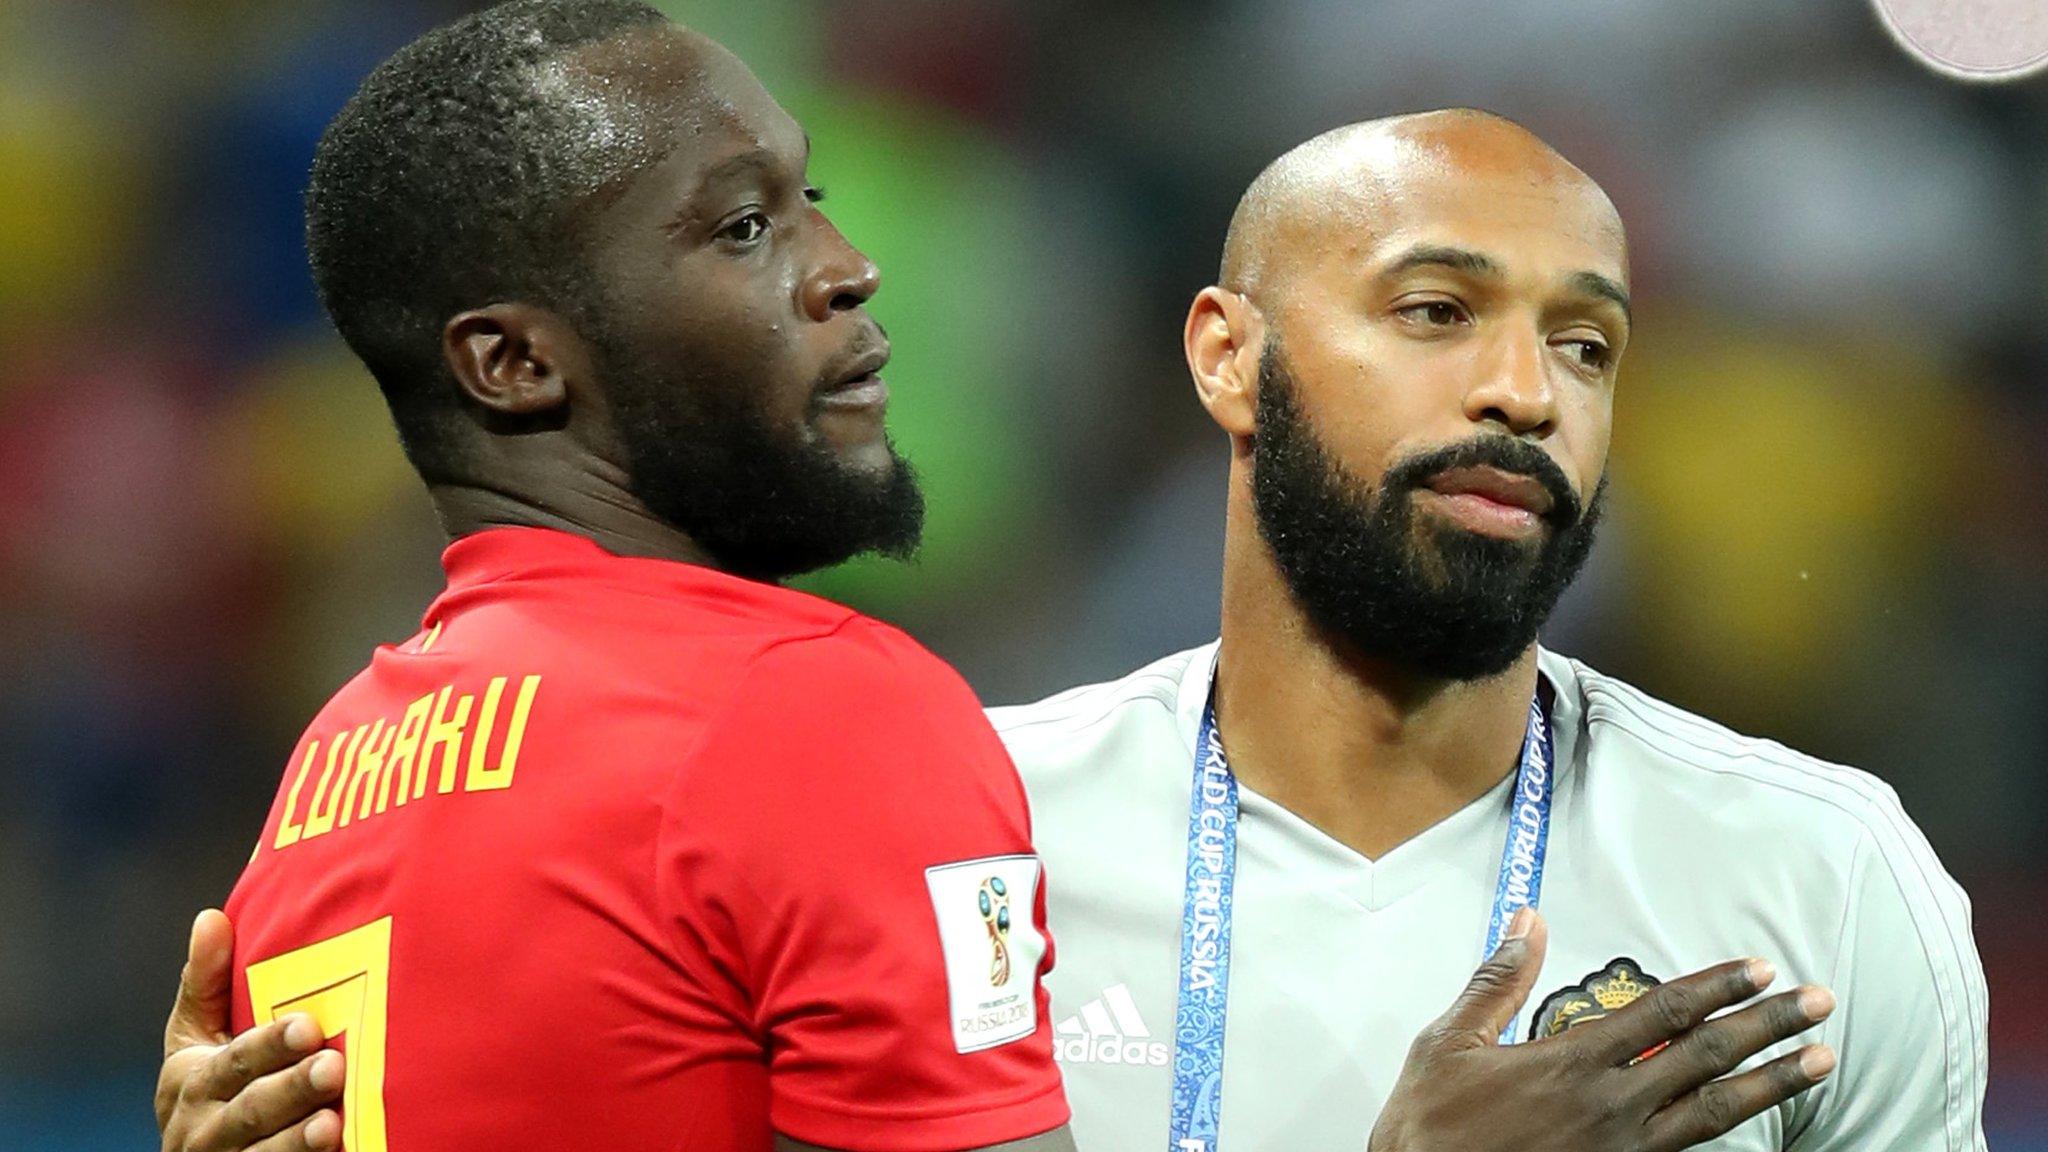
column 1365, row 749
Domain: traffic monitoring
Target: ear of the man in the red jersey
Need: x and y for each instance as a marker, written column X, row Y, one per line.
column 515, row 360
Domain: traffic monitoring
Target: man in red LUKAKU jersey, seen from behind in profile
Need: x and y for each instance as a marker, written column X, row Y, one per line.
column 712, row 864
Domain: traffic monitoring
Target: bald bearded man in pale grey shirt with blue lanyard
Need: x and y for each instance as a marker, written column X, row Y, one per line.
column 1277, row 856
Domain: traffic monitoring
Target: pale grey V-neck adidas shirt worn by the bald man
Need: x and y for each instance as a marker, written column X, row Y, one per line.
column 1674, row 846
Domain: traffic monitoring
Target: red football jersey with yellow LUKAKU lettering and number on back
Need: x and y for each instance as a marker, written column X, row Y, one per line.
column 626, row 854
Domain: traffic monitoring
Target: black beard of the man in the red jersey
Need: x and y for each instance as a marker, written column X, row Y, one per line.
column 763, row 501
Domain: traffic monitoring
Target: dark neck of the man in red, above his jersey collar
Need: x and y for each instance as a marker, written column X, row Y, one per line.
column 583, row 499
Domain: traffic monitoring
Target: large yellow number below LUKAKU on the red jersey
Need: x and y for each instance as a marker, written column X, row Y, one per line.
column 345, row 983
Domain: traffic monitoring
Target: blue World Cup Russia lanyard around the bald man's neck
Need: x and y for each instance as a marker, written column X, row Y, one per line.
column 1205, row 915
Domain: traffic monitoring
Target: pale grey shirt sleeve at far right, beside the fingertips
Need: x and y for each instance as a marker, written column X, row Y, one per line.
column 1910, row 1030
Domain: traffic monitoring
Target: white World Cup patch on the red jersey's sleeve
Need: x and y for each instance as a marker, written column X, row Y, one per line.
column 992, row 946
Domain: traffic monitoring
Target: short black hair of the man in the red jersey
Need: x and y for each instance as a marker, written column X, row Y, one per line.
column 447, row 183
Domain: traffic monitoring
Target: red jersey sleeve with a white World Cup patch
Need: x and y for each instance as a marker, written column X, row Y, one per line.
column 851, row 844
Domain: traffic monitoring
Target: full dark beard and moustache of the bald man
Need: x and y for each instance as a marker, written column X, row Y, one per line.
column 1431, row 598
